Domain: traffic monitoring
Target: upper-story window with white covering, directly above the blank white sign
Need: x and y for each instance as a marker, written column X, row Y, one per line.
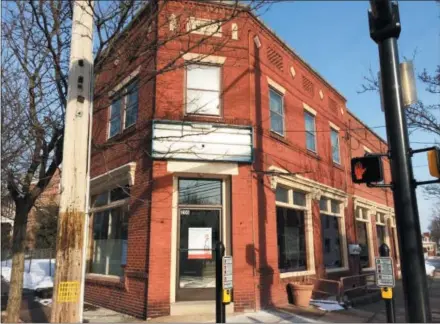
column 203, row 89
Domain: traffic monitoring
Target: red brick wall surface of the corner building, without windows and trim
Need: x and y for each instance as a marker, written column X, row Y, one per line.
column 244, row 101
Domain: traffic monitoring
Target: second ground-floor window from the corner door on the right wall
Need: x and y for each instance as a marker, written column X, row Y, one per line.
column 332, row 232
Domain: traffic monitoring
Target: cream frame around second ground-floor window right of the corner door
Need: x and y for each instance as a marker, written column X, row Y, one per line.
column 342, row 229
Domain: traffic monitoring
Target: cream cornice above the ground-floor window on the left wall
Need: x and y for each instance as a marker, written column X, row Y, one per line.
column 125, row 174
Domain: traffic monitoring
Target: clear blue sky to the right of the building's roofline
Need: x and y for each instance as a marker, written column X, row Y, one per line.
column 333, row 37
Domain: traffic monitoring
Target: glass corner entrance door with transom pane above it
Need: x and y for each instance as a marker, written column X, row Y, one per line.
column 199, row 229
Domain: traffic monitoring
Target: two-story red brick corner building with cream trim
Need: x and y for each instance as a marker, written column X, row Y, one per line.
column 242, row 142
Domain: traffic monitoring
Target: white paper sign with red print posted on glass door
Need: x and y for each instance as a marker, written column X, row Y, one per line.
column 200, row 243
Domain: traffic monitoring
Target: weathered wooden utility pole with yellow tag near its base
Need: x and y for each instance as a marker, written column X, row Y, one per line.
column 69, row 274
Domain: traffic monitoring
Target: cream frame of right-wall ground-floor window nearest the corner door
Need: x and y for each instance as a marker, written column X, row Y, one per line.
column 308, row 222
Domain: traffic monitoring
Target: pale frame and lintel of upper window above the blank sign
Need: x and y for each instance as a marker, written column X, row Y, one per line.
column 203, row 61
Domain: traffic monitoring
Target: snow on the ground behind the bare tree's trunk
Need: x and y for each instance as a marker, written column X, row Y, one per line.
column 38, row 273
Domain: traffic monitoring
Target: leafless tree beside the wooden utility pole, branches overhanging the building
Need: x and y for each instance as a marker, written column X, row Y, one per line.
column 35, row 66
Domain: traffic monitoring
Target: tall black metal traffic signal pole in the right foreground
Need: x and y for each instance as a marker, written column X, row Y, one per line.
column 384, row 30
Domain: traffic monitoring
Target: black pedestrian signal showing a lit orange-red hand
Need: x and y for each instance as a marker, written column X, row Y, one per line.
column 366, row 169
